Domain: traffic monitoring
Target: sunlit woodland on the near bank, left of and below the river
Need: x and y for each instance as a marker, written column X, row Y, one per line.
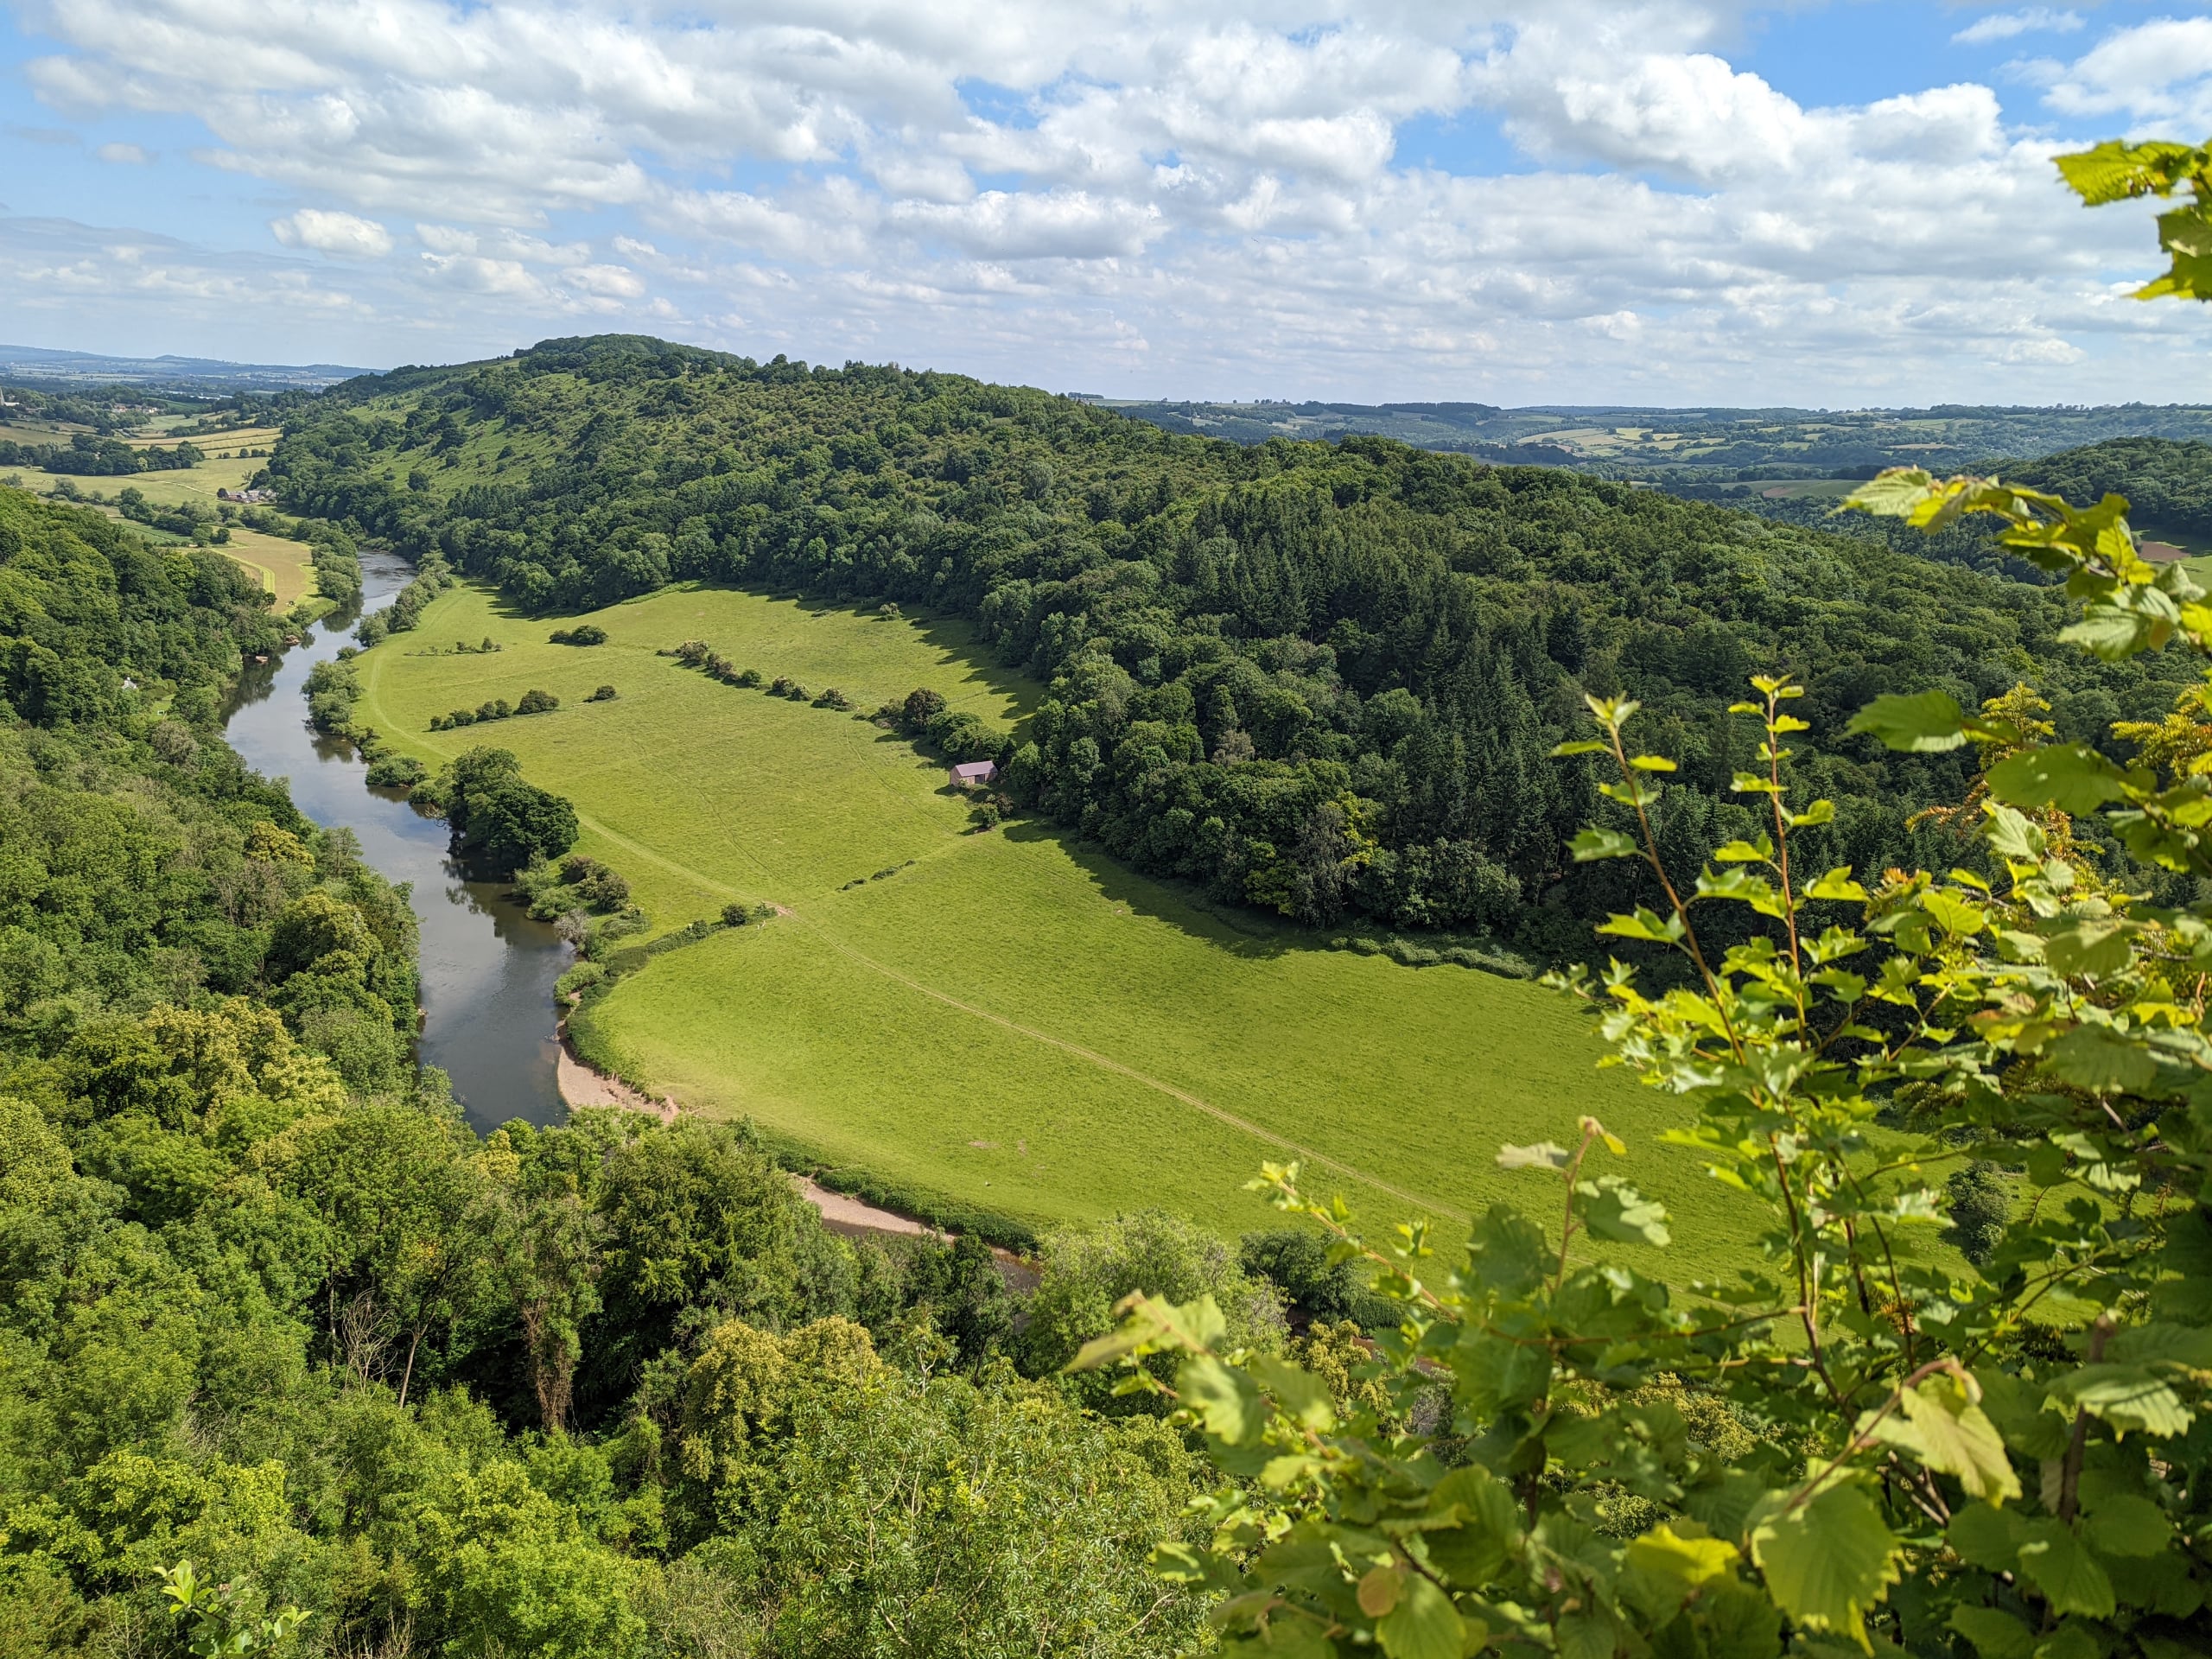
column 271, row 1308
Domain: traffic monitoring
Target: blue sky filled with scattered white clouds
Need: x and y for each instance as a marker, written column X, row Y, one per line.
column 1815, row 205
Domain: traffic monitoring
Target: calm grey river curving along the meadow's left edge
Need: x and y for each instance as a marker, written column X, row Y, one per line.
column 488, row 968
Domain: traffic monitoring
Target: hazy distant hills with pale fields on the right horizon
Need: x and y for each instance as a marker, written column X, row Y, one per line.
column 1691, row 446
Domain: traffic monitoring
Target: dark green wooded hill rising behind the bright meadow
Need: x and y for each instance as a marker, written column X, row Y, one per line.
column 1315, row 678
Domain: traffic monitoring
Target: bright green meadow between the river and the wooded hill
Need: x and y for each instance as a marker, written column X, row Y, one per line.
column 1003, row 1019
